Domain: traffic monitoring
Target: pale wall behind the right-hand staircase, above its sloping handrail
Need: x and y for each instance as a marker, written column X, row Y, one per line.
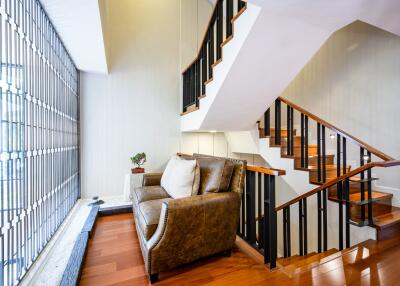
column 353, row 83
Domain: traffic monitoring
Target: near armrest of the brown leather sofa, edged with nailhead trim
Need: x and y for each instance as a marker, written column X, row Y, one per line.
column 194, row 227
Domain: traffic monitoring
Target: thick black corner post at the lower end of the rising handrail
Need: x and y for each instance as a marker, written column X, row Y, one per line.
column 270, row 223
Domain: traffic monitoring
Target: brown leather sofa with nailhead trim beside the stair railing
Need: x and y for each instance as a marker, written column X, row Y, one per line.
column 173, row 232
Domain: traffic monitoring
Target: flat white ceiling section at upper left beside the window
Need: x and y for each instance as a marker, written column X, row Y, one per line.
column 78, row 23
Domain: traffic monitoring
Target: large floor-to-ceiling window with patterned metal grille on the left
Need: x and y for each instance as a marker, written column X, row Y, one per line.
column 39, row 146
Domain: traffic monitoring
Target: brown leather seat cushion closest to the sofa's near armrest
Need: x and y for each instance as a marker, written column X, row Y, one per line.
column 148, row 216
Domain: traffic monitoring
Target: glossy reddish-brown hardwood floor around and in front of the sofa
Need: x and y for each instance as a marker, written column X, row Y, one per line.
column 114, row 258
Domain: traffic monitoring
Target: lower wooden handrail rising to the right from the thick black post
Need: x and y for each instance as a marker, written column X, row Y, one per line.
column 384, row 164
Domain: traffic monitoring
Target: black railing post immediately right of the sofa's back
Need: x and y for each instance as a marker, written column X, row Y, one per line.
column 250, row 207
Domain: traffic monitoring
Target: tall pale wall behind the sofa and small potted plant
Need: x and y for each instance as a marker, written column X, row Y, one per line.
column 136, row 107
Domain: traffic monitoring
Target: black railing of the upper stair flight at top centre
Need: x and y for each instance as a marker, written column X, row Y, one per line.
column 200, row 71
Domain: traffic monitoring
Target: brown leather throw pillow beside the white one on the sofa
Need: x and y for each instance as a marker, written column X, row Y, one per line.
column 215, row 175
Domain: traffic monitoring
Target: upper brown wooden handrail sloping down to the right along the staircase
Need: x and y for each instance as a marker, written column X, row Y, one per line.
column 369, row 148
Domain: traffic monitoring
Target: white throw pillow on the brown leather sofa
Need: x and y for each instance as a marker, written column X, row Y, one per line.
column 178, row 177
